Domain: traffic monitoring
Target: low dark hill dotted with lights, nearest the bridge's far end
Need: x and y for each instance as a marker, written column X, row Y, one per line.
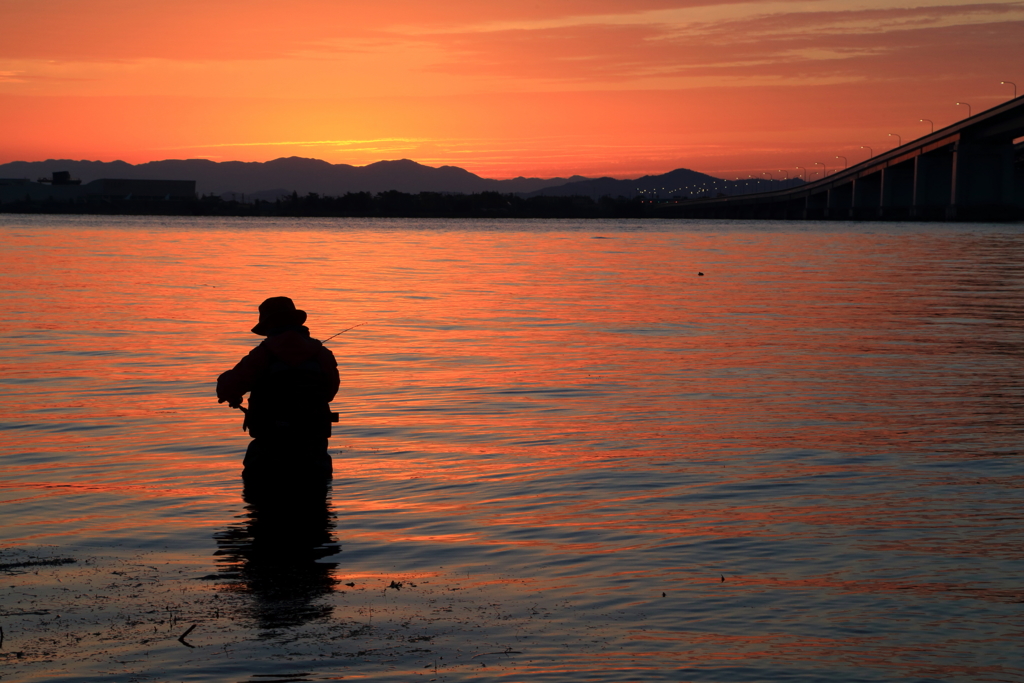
column 681, row 183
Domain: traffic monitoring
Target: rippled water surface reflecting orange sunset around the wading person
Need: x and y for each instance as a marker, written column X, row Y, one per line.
column 563, row 454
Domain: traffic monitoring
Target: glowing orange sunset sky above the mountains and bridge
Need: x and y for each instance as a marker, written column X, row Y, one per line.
column 502, row 89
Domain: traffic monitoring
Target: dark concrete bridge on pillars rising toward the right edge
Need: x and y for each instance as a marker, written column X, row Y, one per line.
column 971, row 170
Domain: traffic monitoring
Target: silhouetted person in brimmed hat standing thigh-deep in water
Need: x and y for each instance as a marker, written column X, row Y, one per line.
column 291, row 380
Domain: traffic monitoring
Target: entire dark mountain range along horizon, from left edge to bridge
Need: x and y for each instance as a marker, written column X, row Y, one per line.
column 272, row 180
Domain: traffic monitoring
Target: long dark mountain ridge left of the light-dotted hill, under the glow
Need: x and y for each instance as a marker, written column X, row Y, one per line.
column 283, row 177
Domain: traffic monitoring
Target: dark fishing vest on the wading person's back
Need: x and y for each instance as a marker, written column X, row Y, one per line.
column 290, row 402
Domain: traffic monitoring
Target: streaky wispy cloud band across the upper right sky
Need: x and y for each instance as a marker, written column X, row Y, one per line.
column 776, row 44
